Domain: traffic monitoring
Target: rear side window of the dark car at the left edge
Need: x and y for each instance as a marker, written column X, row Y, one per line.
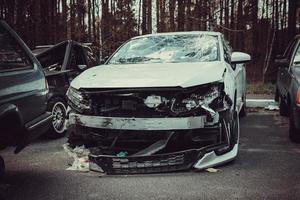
column 12, row 55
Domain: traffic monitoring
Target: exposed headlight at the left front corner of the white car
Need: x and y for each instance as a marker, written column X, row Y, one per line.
column 78, row 101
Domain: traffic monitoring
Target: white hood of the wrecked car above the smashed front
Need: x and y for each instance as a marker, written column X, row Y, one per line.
column 150, row 75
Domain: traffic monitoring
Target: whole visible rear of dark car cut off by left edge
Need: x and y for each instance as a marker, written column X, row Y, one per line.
column 23, row 93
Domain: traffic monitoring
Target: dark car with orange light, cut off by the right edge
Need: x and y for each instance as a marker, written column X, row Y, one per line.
column 288, row 87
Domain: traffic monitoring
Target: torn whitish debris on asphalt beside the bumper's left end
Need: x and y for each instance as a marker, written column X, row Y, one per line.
column 80, row 156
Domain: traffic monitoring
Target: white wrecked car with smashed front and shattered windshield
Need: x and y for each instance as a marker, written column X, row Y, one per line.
column 162, row 102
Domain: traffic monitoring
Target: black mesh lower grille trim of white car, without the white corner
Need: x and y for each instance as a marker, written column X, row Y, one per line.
column 169, row 162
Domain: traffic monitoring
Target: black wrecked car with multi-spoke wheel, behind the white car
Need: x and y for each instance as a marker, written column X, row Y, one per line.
column 61, row 64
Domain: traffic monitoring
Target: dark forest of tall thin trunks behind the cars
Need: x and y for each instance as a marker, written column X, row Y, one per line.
column 261, row 28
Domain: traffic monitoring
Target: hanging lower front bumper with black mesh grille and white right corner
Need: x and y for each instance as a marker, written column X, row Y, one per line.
column 177, row 161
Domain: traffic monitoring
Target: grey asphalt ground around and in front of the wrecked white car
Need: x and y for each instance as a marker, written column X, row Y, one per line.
column 267, row 167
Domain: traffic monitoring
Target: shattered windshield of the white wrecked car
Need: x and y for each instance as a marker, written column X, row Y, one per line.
column 168, row 49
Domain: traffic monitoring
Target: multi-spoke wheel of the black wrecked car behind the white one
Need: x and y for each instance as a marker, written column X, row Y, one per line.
column 57, row 106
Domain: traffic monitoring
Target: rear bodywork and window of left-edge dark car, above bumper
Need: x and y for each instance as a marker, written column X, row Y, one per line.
column 22, row 82
